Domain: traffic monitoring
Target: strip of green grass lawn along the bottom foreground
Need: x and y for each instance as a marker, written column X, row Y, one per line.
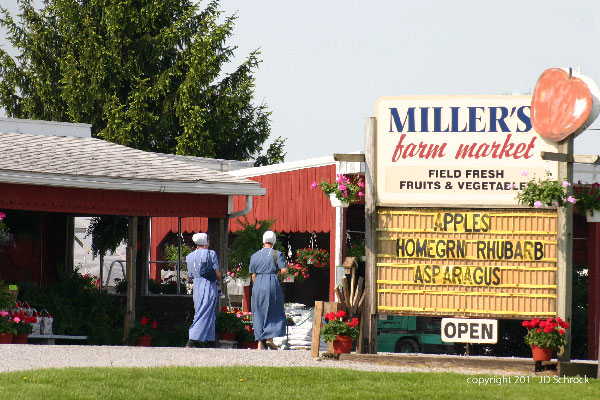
column 276, row 383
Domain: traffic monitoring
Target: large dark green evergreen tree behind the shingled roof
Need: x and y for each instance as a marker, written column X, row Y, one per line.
column 148, row 74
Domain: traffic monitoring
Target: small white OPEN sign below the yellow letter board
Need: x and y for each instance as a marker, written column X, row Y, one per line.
column 469, row 330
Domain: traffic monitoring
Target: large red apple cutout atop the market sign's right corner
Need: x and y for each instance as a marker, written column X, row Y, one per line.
column 564, row 102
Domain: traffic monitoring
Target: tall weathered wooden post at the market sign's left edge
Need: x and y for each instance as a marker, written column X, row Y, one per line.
column 370, row 314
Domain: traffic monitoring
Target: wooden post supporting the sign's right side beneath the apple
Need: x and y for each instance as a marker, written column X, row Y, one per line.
column 565, row 248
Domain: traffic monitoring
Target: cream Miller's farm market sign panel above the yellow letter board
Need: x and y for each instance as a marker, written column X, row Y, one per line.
column 466, row 151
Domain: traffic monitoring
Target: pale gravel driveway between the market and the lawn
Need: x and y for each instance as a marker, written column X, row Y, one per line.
column 17, row 357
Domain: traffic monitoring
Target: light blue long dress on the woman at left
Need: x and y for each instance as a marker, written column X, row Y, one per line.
column 205, row 297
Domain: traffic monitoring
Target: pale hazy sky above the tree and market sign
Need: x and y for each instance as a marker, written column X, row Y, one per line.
column 326, row 62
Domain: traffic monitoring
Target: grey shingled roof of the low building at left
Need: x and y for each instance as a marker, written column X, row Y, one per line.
column 72, row 161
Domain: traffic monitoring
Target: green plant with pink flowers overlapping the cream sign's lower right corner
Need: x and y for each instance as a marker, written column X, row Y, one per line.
column 545, row 192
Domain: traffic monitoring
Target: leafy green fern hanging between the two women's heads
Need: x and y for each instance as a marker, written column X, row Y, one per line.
column 248, row 240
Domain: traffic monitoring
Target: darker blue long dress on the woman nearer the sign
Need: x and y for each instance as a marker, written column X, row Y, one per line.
column 268, row 315
